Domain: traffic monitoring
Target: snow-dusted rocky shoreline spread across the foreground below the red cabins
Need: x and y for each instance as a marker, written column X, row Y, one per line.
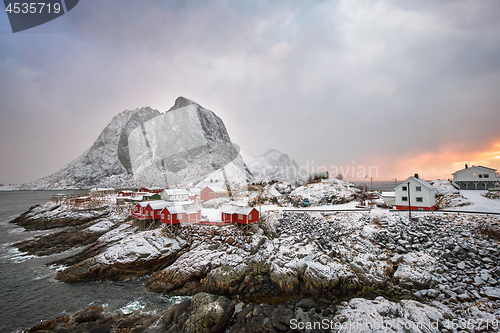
column 290, row 268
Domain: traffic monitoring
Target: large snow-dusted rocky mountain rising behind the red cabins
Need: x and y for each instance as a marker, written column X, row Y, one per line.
column 144, row 147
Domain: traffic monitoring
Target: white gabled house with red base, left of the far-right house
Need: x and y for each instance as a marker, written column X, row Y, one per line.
column 417, row 193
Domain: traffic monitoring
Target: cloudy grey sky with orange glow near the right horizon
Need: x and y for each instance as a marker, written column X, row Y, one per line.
column 401, row 86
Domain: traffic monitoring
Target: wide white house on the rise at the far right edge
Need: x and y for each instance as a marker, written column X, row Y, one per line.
column 476, row 178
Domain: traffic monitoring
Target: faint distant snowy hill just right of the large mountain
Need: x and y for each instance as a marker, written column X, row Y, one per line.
column 274, row 165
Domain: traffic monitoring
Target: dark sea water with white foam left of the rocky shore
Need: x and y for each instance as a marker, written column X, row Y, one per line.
column 28, row 290
